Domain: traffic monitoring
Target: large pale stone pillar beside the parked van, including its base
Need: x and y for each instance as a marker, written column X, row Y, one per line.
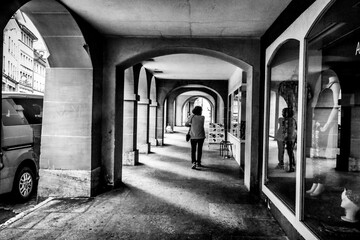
column 66, row 163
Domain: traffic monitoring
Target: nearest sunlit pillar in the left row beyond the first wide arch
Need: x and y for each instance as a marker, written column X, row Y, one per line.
column 130, row 153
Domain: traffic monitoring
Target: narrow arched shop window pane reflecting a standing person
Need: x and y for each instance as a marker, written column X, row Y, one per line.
column 282, row 120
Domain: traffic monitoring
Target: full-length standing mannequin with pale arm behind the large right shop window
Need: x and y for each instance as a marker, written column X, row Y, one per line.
column 325, row 123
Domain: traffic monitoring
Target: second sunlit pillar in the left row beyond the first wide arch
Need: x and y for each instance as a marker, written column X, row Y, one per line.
column 143, row 126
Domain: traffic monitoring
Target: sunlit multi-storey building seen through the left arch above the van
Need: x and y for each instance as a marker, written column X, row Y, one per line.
column 23, row 66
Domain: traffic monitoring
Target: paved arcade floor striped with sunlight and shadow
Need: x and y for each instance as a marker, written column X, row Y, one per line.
column 162, row 198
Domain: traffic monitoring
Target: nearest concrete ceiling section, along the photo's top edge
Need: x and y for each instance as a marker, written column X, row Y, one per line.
column 180, row 18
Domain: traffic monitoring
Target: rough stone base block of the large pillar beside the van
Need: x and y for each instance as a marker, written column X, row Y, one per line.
column 68, row 183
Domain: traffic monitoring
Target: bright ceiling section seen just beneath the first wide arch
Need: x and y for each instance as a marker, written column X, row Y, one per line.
column 190, row 67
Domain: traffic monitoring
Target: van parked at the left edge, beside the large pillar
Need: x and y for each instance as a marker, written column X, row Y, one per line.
column 20, row 143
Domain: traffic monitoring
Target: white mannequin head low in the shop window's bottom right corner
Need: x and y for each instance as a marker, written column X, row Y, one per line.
column 350, row 202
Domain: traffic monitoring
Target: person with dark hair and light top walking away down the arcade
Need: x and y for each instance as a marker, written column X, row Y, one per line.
column 197, row 135
